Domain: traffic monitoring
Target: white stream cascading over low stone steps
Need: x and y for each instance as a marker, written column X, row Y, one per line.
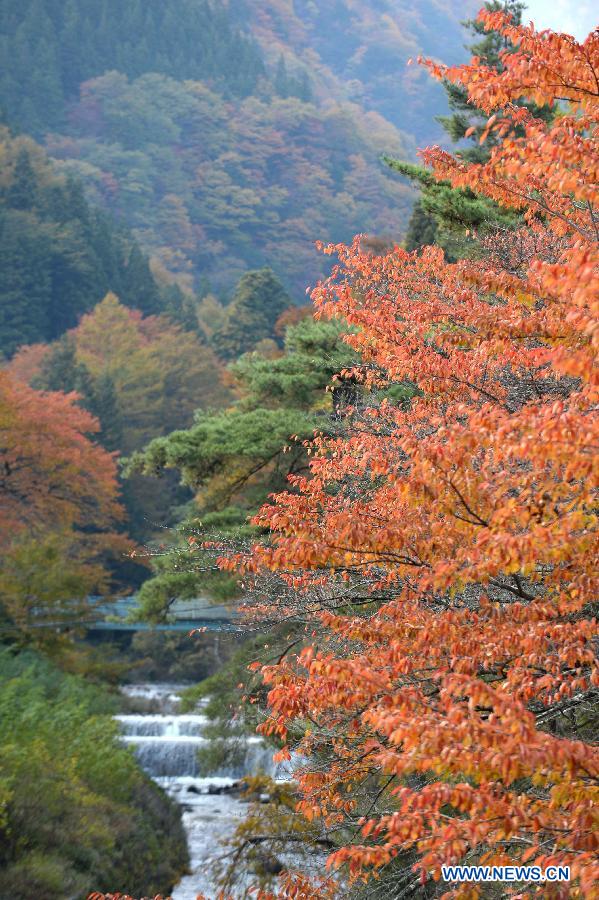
column 166, row 744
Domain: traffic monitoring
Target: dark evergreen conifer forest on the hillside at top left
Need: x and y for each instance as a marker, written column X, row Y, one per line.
column 49, row 47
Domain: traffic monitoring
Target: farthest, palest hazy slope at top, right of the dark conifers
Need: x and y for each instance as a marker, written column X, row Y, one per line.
column 360, row 50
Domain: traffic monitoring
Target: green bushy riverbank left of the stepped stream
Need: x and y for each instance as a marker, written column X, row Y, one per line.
column 77, row 813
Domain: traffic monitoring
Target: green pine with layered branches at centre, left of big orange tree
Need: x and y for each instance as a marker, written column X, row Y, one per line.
column 233, row 458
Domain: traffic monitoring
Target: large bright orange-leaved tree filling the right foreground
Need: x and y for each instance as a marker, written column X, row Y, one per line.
column 463, row 690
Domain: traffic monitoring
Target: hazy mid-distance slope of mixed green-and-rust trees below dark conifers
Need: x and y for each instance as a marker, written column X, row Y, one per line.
column 213, row 188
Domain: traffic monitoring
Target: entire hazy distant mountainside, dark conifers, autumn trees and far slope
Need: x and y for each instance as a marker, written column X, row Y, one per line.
column 229, row 136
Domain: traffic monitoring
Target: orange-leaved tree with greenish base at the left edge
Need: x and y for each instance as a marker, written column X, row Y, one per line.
column 59, row 514
